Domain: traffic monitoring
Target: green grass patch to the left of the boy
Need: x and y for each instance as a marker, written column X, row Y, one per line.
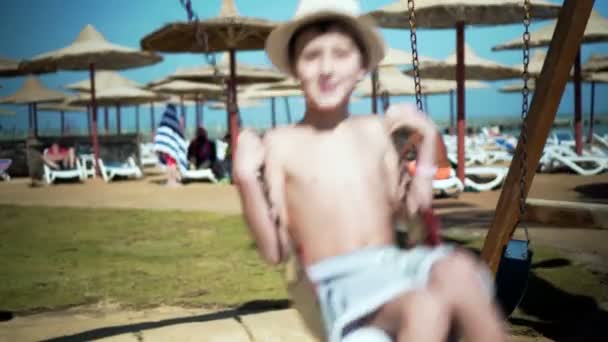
column 57, row 257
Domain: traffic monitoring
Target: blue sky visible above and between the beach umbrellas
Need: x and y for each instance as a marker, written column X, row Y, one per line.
column 31, row 27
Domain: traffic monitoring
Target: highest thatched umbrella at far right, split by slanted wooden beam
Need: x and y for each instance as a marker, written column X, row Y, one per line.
column 596, row 31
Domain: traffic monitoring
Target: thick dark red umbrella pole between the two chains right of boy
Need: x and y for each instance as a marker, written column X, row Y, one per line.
column 460, row 75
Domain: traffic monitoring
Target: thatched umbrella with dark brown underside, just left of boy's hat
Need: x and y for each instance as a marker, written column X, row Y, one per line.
column 227, row 32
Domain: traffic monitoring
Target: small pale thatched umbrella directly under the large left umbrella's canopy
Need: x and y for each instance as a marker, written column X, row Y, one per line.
column 105, row 80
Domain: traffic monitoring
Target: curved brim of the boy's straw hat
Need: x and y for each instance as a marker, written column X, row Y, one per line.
column 277, row 43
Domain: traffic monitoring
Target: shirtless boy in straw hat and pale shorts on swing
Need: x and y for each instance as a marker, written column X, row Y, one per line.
column 334, row 193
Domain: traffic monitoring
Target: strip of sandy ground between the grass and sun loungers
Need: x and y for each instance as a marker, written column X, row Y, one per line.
column 150, row 193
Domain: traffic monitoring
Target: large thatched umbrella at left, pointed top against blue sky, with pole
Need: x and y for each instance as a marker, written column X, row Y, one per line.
column 91, row 51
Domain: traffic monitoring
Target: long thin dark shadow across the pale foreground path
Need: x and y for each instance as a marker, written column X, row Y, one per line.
column 247, row 308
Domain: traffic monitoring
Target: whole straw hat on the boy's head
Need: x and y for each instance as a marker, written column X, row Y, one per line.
column 310, row 11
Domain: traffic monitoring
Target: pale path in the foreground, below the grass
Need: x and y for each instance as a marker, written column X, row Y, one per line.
column 164, row 324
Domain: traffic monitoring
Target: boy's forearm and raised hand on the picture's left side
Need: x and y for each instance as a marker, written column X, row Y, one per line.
column 247, row 163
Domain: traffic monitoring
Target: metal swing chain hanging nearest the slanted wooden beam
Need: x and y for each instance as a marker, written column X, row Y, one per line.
column 524, row 114
